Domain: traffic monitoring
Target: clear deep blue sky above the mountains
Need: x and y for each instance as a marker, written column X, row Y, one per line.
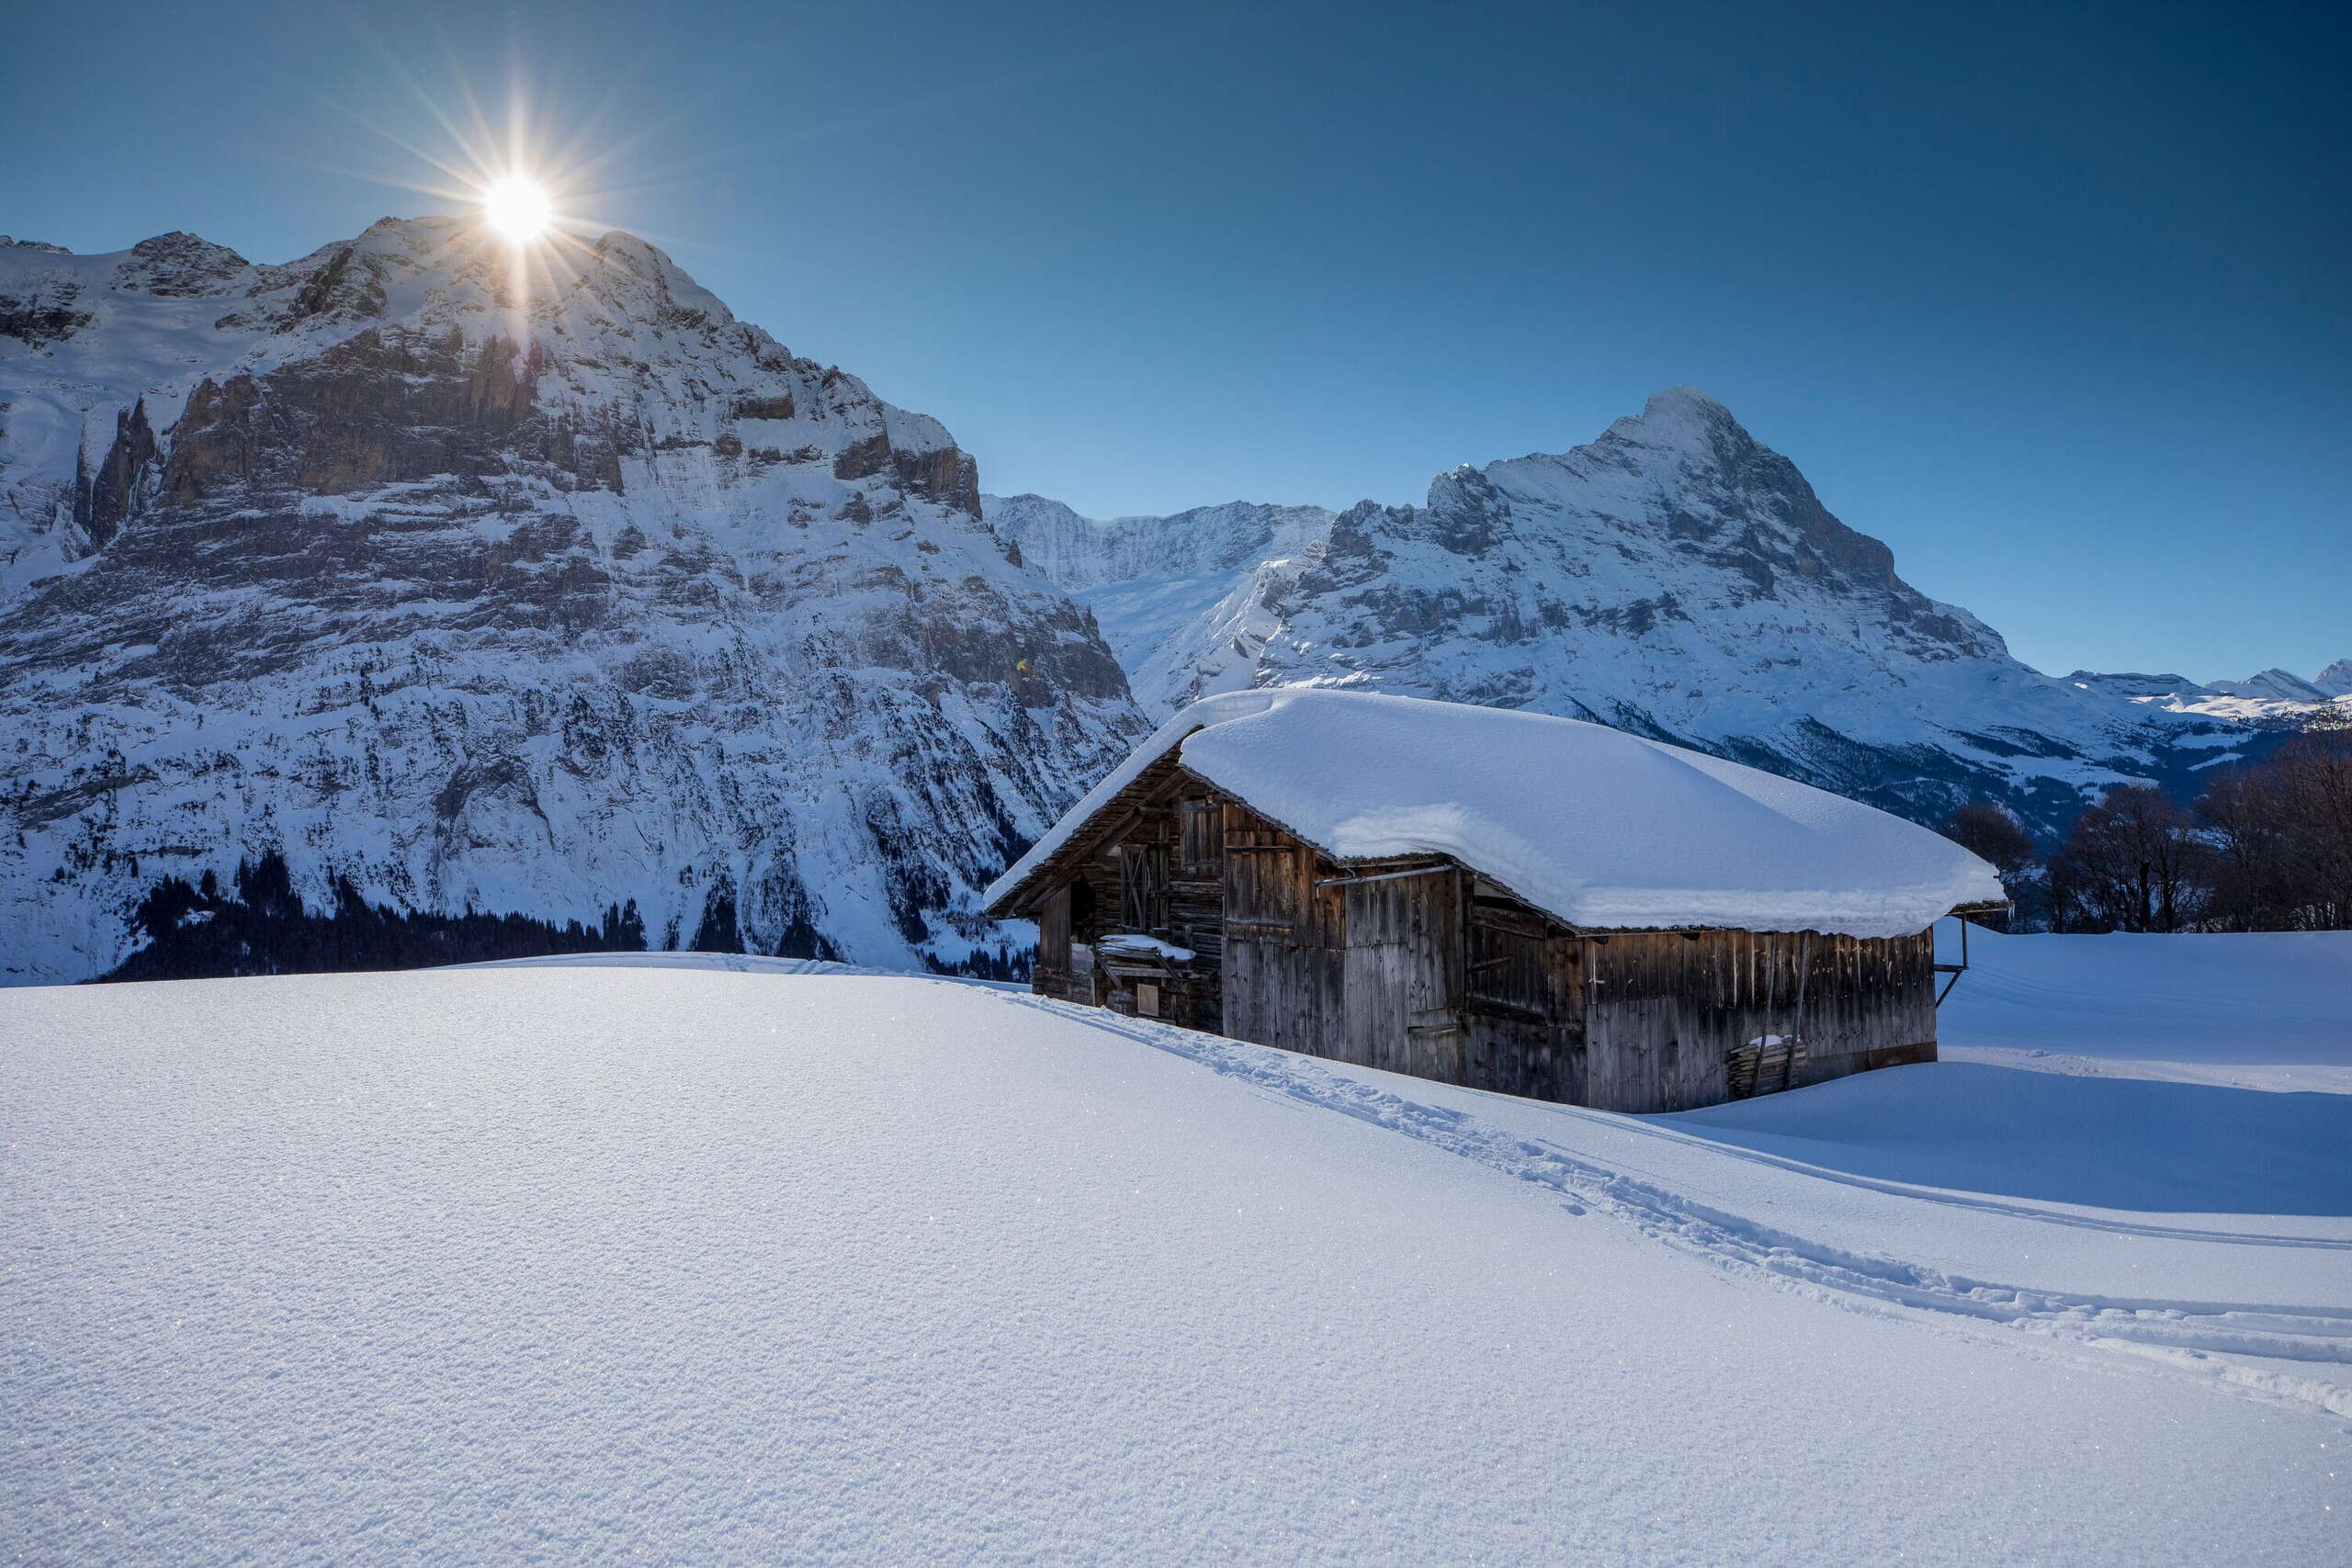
column 2050, row 297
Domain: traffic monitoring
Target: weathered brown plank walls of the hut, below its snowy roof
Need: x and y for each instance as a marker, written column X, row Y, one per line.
column 1429, row 970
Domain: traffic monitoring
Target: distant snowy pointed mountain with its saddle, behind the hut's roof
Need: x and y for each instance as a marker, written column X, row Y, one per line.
column 1676, row 579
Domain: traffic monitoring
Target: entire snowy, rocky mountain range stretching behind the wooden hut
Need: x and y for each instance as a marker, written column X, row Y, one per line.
column 537, row 596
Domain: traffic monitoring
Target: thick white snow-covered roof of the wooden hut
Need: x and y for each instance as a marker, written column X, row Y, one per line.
column 1593, row 826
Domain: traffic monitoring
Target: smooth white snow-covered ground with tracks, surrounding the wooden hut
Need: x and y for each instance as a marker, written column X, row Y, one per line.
column 763, row 1264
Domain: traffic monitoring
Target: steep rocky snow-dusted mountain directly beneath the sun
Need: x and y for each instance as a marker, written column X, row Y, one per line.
column 502, row 594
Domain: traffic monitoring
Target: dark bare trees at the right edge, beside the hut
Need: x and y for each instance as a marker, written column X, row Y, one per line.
column 2266, row 847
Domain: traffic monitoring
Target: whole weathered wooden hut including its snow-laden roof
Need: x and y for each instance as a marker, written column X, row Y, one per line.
column 1220, row 883
